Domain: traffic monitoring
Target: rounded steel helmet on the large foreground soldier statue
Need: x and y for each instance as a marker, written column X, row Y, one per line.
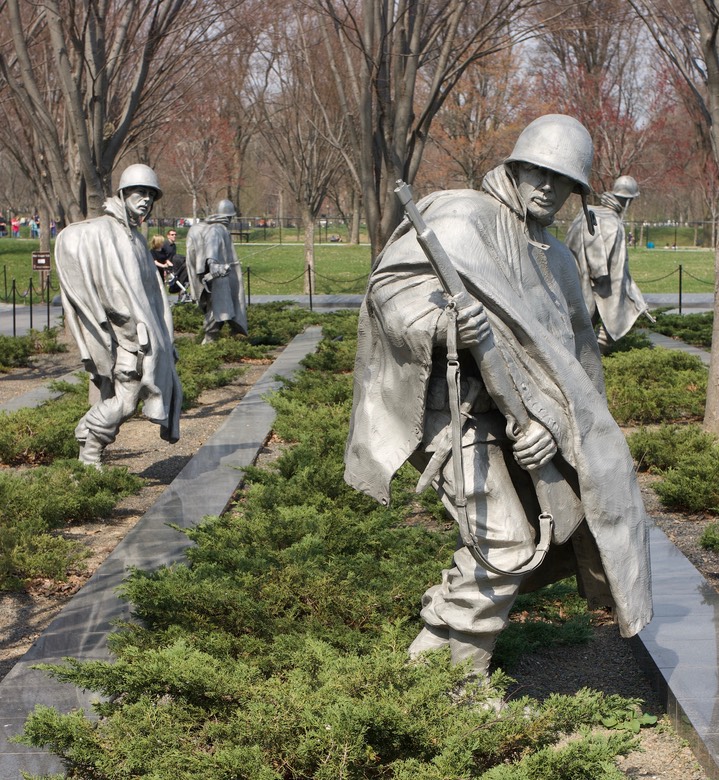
column 559, row 143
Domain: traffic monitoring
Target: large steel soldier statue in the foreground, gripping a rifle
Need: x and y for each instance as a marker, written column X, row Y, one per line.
column 530, row 331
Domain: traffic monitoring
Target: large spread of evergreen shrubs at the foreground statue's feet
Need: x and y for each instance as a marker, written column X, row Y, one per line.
column 278, row 652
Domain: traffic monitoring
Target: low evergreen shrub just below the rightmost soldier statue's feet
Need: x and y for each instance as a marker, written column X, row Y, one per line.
column 647, row 386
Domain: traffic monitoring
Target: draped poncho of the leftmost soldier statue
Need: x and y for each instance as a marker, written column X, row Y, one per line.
column 108, row 285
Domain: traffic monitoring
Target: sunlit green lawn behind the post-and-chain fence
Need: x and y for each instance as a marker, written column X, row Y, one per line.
column 277, row 269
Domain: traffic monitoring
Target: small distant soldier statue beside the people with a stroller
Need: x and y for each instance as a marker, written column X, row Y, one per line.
column 215, row 273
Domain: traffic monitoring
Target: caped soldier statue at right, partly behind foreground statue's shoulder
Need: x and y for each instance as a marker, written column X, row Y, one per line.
column 612, row 297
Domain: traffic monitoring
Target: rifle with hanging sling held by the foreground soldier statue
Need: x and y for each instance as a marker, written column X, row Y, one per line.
column 561, row 507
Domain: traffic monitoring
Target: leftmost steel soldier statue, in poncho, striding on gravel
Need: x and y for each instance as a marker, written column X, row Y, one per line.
column 118, row 313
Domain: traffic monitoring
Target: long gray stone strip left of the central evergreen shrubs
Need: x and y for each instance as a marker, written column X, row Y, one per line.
column 204, row 487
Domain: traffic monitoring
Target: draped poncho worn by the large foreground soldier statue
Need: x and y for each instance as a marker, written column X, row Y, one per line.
column 562, row 386
